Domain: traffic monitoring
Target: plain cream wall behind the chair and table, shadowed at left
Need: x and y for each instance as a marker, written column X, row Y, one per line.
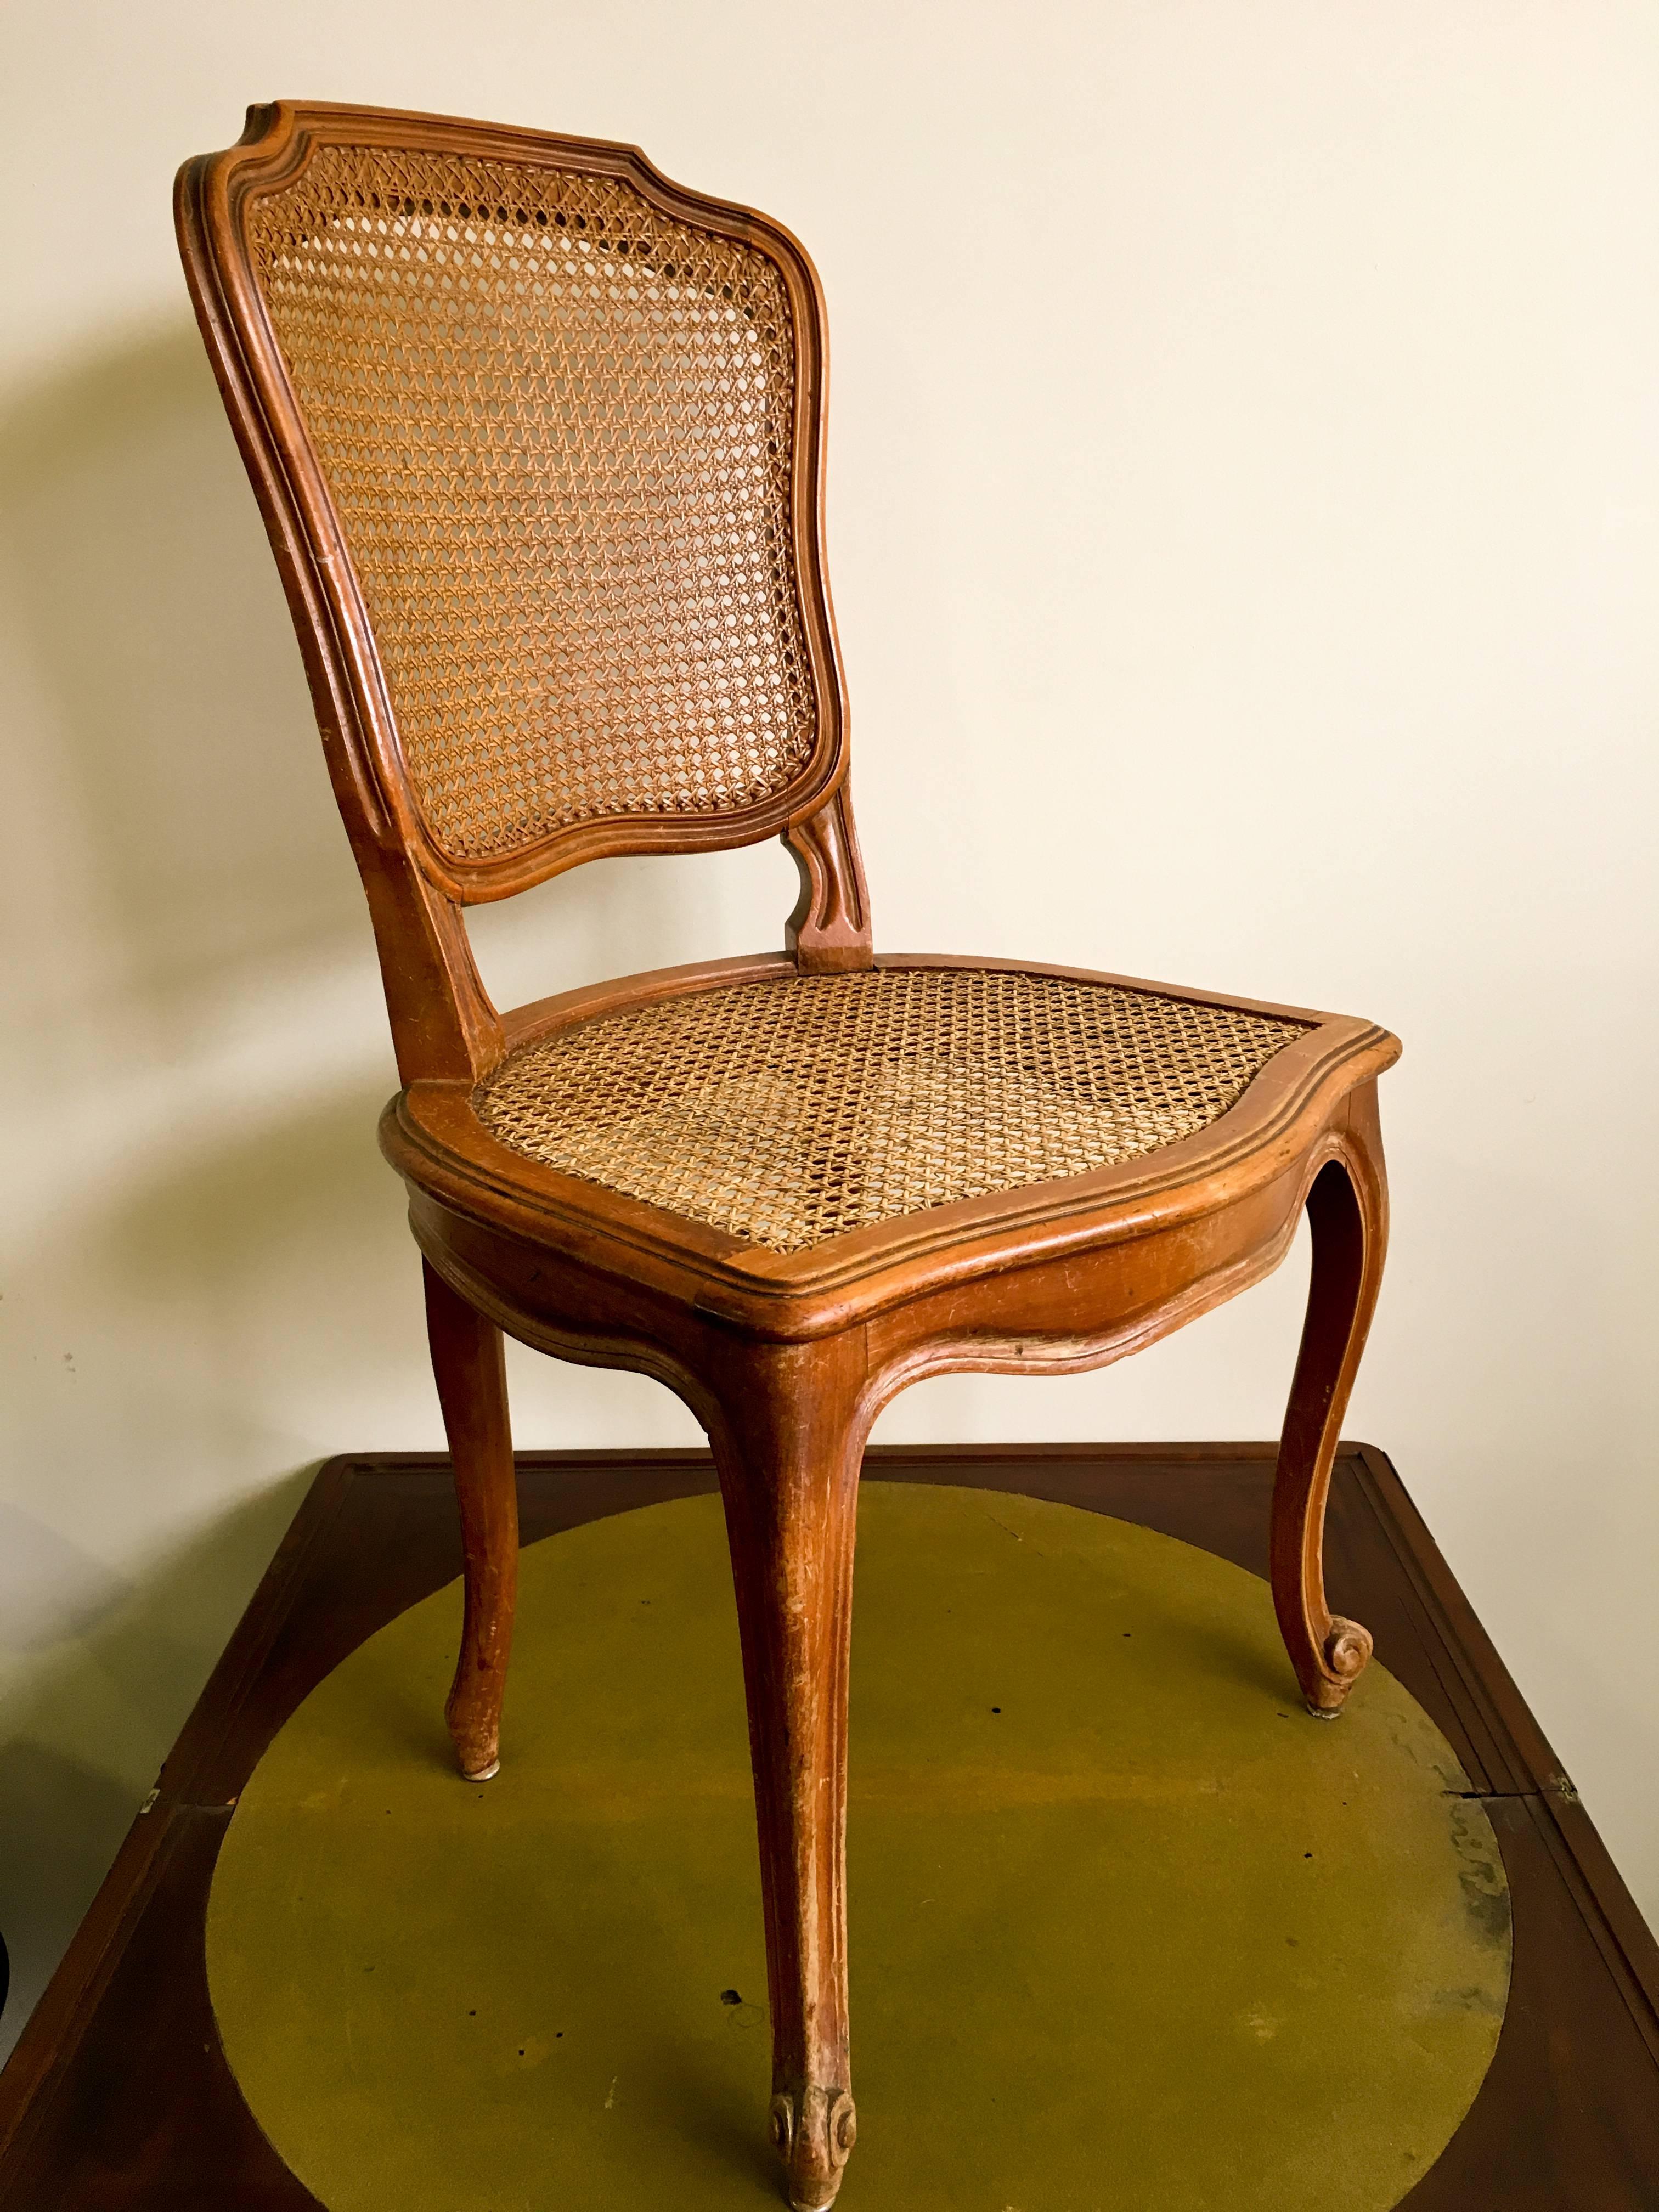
column 1246, row 541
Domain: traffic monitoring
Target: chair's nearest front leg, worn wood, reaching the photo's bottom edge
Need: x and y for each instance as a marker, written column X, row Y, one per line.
column 789, row 1443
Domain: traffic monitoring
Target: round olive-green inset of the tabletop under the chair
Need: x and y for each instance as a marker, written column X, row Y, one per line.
column 1129, row 1930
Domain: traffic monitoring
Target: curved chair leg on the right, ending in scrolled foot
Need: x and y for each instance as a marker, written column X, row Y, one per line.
column 1348, row 1215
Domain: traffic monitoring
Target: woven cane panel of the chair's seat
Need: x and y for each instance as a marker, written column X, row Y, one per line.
column 791, row 1112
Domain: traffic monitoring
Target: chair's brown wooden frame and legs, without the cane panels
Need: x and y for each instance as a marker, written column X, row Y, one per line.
column 784, row 1359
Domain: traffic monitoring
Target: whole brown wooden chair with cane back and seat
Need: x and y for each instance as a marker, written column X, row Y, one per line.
column 539, row 441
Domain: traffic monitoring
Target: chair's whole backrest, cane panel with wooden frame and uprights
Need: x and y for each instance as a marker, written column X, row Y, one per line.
column 539, row 441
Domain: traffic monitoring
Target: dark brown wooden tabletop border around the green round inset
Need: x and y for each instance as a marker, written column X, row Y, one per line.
column 121, row 2098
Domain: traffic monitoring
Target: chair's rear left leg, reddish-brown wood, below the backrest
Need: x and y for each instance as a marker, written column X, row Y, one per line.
column 470, row 1370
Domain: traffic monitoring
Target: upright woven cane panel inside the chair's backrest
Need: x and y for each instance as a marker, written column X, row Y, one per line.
column 556, row 426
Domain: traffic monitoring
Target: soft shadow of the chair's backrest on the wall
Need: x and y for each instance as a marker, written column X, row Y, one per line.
column 158, row 636
